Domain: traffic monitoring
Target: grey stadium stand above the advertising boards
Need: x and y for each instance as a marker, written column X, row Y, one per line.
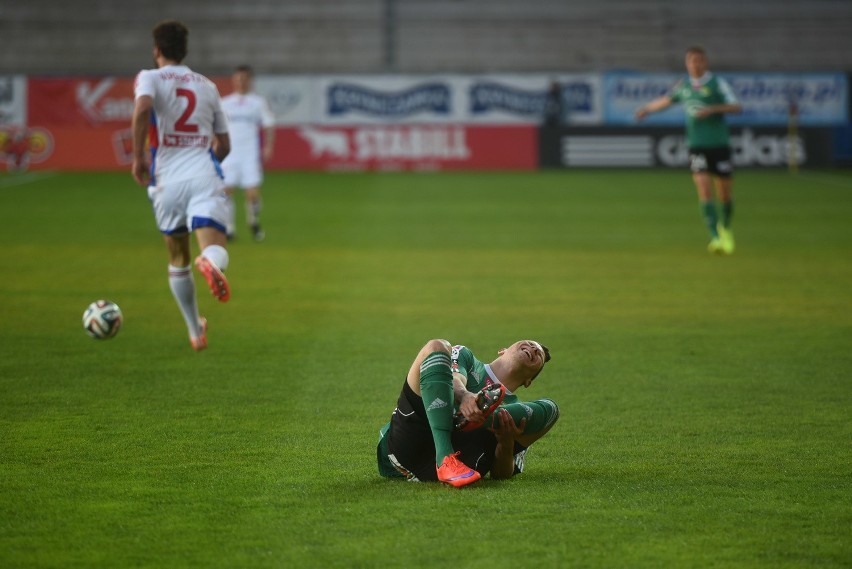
column 423, row 36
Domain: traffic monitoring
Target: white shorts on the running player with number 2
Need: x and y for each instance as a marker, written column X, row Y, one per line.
column 185, row 206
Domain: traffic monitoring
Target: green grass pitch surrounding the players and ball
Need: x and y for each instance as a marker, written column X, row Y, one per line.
column 705, row 401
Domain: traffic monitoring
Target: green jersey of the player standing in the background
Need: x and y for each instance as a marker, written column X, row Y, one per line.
column 695, row 94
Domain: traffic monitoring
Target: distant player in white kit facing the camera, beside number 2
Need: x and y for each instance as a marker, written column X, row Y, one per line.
column 248, row 117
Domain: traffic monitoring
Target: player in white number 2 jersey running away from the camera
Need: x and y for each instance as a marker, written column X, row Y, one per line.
column 179, row 113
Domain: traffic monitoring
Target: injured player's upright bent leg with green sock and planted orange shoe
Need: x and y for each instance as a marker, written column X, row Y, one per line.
column 431, row 377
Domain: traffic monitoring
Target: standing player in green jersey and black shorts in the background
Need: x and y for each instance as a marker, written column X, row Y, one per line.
column 706, row 99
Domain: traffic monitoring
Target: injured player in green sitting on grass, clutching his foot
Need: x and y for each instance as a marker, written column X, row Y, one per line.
column 458, row 419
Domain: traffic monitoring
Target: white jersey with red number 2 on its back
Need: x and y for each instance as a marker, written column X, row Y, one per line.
column 188, row 111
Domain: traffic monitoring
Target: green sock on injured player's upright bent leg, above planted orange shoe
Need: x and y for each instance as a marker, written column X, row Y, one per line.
column 436, row 389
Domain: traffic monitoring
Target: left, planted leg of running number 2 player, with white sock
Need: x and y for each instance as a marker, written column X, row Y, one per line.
column 182, row 286
